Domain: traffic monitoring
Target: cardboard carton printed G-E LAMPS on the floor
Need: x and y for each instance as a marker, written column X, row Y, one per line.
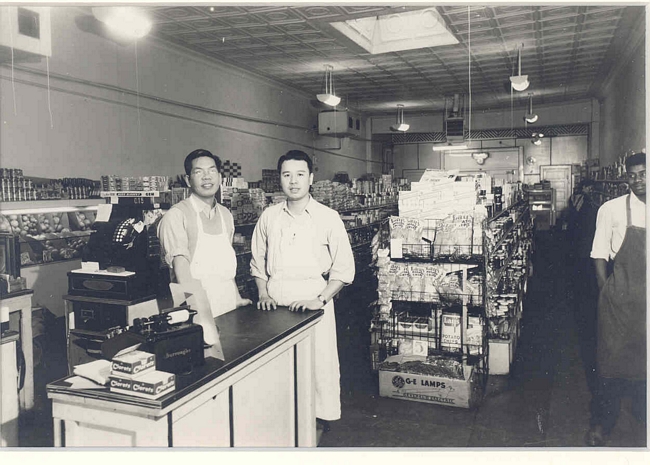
column 439, row 390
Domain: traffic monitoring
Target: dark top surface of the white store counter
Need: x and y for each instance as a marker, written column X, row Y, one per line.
column 244, row 332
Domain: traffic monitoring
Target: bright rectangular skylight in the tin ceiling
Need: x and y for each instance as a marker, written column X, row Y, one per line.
column 396, row 32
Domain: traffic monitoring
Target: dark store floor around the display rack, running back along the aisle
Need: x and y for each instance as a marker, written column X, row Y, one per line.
column 544, row 402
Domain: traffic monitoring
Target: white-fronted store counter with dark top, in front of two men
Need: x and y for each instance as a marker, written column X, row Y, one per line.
column 261, row 396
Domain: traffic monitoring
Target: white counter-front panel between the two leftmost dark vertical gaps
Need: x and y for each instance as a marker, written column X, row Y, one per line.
column 207, row 425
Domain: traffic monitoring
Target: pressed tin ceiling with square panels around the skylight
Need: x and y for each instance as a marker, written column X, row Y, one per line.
column 567, row 50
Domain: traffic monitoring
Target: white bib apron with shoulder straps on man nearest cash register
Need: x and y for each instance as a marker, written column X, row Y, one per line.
column 215, row 264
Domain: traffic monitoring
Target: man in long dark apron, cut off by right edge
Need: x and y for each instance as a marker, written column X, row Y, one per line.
column 621, row 344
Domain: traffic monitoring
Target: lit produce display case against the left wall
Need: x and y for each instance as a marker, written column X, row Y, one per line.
column 49, row 230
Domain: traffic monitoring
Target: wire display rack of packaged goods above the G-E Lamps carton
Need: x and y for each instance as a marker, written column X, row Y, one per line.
column 492, row 270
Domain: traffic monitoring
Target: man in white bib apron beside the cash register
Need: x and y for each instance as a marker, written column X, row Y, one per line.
column 196, row 236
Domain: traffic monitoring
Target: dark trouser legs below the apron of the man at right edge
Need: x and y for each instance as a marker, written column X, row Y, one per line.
column 606, row 401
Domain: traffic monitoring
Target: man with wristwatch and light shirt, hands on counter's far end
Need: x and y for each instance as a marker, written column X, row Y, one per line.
column 294, row 245
